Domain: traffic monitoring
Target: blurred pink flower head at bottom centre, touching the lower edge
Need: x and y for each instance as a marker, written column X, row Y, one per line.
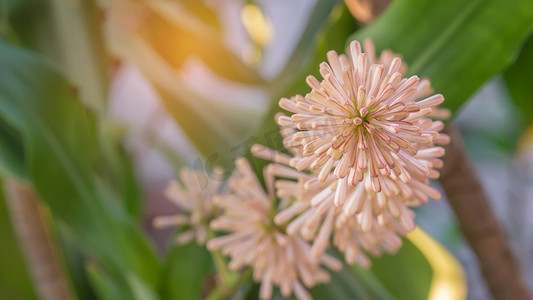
column 253, row 239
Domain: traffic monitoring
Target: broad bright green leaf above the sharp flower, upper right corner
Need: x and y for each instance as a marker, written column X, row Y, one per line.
column 457, row 44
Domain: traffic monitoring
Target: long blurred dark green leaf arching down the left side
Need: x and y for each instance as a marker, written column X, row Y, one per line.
column 60, row 141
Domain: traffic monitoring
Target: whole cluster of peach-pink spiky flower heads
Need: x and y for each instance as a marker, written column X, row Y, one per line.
column 363, row 147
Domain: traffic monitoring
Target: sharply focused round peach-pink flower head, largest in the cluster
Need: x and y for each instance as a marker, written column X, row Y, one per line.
column 364, row 116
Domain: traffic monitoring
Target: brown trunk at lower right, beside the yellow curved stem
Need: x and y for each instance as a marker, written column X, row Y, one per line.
column 479, row 224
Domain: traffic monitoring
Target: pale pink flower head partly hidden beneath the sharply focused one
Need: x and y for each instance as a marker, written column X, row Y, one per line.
column 310, row 213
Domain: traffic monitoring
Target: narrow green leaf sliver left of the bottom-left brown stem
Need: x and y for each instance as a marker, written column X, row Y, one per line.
column 15, row 282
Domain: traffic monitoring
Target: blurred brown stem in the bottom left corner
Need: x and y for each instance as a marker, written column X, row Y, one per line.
column 37, row 244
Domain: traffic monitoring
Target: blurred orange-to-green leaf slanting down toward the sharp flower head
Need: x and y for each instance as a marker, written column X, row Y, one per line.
column 214, row 127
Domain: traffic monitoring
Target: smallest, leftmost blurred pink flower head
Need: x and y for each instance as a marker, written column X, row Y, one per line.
column 194, row 197
